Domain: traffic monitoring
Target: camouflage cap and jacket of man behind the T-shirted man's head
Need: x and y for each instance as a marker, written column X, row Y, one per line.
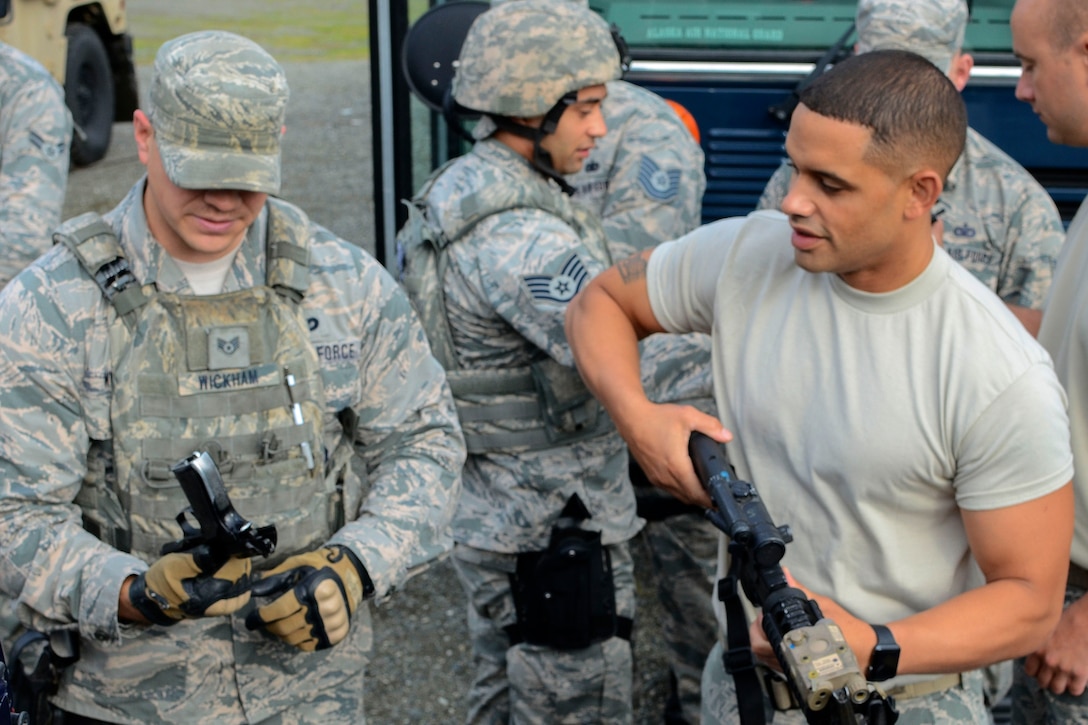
column 999, row 222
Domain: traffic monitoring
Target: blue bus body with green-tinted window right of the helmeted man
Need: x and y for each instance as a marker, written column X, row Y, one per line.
column 734, row 64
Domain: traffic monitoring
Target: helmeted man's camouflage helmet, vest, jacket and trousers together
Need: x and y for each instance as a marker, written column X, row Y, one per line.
column 508, row 281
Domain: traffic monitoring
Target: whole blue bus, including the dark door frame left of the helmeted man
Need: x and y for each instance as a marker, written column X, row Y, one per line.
column 733, row 65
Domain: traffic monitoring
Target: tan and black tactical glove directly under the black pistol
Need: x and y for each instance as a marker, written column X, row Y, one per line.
column 191, row 584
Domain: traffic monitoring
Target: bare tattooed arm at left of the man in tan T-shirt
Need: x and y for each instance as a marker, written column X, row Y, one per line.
column 604, row 325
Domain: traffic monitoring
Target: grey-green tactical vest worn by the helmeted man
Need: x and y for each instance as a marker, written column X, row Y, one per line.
column 538, row 407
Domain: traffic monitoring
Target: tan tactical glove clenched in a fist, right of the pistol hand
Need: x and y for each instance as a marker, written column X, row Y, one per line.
column 316, row 595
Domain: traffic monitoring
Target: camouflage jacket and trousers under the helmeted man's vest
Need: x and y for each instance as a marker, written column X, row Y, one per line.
column 511, row 501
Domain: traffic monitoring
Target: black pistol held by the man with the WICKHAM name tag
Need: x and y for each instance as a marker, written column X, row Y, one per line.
column 225, row 531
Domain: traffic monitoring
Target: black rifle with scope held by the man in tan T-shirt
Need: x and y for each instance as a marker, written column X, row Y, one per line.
column 821, row 670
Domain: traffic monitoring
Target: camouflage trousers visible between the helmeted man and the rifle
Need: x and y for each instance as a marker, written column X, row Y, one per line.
column 684, row 551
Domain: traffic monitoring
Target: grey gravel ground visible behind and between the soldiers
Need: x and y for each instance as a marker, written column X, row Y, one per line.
column 422, row 666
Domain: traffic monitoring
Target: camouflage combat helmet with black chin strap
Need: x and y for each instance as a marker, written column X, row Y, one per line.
column 523, row 56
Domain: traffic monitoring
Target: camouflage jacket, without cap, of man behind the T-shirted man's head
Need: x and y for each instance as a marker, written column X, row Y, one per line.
column 999, row 222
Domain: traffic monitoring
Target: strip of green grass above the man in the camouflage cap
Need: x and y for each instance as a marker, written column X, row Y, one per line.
column 289, row 30
